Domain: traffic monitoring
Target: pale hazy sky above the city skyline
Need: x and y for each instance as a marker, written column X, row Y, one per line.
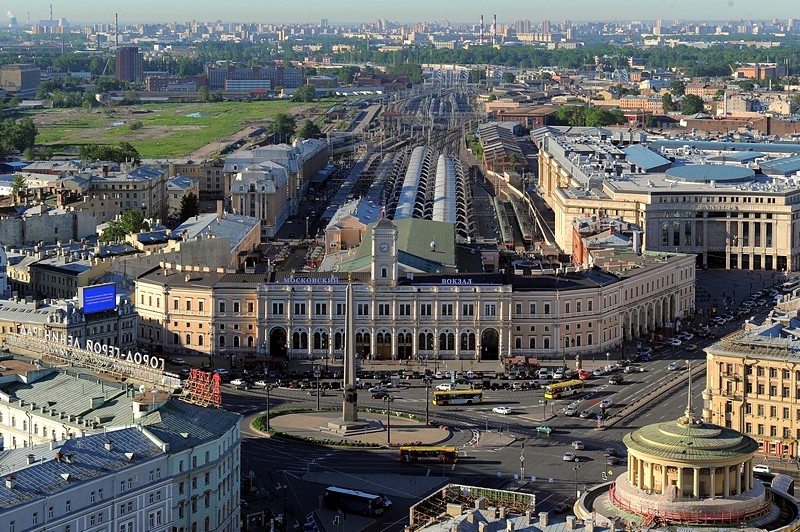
column 402, row 11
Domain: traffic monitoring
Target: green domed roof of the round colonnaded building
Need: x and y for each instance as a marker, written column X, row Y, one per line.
column 690, row 443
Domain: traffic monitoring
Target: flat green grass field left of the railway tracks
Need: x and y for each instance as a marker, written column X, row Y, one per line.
column 160, row 130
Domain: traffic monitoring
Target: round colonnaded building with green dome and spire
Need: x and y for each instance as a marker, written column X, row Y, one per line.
column 690, row 473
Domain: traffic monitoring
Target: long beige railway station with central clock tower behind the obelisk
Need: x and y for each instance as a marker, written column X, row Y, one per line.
column 400, row 313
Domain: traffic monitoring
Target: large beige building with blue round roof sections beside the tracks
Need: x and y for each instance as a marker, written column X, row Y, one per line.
column 713, row 205
